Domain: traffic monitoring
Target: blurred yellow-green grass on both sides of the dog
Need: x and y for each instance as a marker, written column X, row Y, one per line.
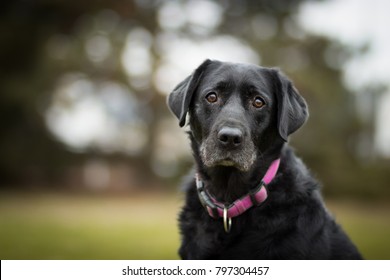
column 58, row 226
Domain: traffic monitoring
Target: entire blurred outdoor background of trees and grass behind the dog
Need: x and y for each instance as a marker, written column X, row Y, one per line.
column 90, row 156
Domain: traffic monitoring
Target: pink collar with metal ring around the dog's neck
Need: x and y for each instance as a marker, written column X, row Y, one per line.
column 254, row 198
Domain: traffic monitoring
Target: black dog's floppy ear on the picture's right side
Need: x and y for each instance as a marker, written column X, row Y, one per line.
column 292, row 110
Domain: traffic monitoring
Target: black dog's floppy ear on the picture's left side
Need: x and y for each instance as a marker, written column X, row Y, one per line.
column 180, row 98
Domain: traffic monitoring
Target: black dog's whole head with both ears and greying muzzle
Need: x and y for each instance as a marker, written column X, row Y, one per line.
column 237, row 111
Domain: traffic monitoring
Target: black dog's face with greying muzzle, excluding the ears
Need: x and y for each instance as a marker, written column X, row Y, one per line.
column 229, row 112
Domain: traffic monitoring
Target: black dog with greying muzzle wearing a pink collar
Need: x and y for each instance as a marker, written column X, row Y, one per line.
column 241, row 204
